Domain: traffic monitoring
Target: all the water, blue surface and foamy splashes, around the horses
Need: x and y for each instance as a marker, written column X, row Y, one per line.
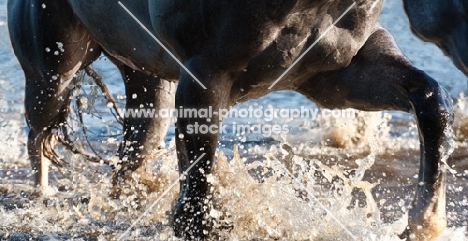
column 363, row 171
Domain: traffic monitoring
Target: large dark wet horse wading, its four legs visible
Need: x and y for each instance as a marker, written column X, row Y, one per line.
column 221, row 52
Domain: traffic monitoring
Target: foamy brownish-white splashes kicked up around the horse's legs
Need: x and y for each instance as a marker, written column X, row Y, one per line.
column 253, row 199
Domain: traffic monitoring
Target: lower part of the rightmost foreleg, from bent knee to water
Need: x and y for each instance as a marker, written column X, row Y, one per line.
column 433, row 110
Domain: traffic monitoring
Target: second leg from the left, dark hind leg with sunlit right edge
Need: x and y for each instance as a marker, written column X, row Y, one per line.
column 144, row 130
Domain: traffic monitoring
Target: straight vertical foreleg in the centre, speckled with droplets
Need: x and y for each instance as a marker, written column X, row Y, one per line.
column 196, row 140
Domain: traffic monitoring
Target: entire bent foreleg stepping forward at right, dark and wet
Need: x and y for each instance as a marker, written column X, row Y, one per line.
column 380, row 78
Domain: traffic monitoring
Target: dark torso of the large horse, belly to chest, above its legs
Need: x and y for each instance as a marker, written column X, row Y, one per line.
column 234, row 39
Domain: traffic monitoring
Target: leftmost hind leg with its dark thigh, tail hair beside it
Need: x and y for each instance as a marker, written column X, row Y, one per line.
column 51, row 45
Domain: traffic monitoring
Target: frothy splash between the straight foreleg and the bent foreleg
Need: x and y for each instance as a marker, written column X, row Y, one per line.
column 276, row 207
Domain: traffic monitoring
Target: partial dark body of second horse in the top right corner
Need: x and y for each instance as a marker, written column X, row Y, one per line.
column 444, row 23
